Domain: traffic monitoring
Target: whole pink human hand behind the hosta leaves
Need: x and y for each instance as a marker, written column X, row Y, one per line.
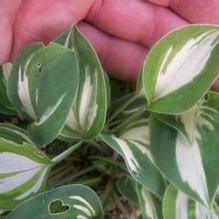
column 122, row 31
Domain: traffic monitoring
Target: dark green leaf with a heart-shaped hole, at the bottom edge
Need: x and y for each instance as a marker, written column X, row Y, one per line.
column 72, row 201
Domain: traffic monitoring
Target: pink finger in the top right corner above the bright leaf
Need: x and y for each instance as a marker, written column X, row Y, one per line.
column 195, row 11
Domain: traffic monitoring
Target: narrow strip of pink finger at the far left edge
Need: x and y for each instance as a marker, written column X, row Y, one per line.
column 8, row 10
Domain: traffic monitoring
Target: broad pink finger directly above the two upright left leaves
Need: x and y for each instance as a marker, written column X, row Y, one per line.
column 43, row 20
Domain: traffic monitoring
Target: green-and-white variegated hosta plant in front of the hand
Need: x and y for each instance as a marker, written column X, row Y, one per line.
column 150, row 152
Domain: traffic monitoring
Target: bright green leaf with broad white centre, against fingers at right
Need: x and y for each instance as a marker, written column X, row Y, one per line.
column 180, row 68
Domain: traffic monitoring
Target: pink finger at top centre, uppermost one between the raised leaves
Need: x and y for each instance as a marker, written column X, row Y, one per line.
column 133, row 20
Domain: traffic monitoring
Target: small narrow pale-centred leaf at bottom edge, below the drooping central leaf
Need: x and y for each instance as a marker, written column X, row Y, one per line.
column 150, row 206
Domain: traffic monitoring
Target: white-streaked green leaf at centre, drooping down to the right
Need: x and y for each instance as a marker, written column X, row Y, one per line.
column 133, row 146
